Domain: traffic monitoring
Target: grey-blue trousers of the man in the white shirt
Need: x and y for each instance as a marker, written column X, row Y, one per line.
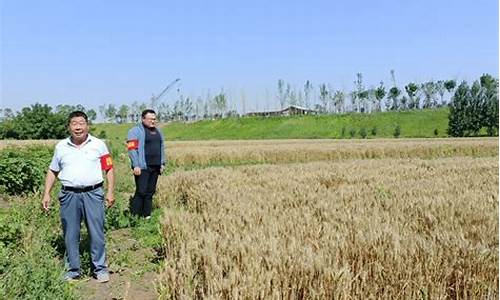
column 88, row 206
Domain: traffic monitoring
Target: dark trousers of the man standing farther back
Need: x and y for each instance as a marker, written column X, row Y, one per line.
column 145, row 187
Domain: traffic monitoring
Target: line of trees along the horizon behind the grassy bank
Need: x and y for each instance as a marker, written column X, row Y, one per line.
column 473, row 109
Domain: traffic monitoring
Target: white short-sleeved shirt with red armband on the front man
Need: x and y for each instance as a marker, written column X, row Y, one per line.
column 80, row 166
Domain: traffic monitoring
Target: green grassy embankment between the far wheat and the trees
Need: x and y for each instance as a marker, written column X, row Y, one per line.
column 413, row 124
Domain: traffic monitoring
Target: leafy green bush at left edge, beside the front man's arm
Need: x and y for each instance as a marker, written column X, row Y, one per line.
column 23, row 169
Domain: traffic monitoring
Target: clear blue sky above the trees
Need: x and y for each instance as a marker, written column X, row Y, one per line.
column 99, row 52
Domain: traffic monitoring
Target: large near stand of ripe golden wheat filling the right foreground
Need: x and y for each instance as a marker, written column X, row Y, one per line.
column 376, row 229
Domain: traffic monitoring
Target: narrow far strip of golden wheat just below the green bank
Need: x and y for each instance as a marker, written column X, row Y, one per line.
column 207, row 153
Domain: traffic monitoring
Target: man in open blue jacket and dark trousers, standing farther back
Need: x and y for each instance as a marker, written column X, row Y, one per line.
column 145, row 146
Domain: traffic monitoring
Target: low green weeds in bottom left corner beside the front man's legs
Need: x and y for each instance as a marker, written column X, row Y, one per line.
column 29, row 268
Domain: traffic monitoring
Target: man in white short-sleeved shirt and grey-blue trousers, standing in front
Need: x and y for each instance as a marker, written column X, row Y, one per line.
column 78, row 163
